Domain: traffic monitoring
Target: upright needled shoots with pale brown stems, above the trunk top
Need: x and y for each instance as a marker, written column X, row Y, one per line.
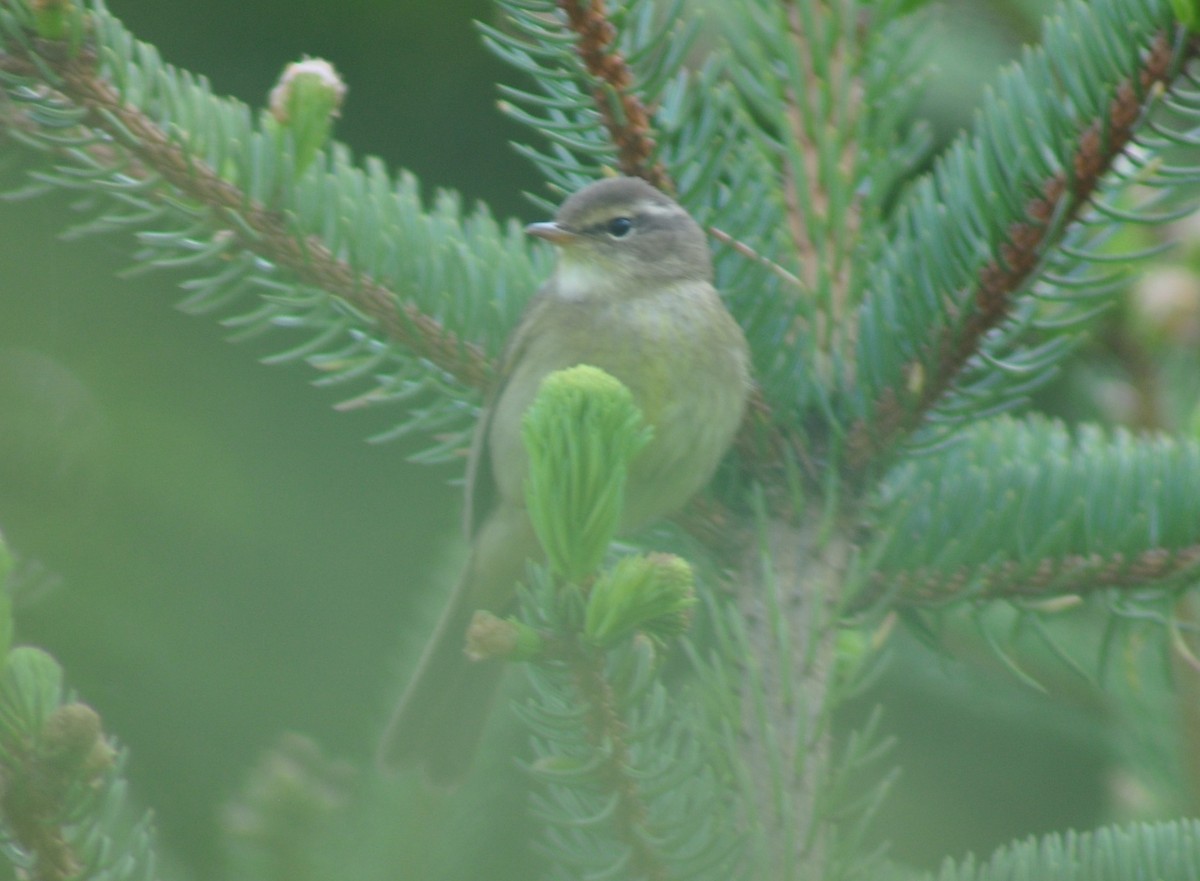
column 836, row 135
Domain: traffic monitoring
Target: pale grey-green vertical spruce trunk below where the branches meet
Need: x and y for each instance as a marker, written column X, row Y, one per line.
column 783, row 649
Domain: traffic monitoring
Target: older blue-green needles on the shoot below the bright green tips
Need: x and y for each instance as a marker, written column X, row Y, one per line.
column 623, row 784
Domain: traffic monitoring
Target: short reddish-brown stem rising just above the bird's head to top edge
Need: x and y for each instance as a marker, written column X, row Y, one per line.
column 621, row 110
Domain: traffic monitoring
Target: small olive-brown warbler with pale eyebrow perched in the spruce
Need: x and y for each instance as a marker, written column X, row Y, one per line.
column 633, row 295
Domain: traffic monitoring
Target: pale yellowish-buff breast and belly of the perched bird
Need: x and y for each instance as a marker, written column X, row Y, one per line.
column 682, row 357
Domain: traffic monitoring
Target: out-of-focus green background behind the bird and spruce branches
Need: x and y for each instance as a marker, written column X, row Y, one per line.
column 226, row 558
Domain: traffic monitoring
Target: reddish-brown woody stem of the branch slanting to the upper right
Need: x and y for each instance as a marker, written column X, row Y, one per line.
column 898, row 411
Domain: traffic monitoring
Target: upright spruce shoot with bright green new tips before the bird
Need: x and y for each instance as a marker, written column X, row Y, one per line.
column 625, row 789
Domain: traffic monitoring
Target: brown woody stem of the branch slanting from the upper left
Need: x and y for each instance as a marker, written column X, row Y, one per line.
column 307, row 257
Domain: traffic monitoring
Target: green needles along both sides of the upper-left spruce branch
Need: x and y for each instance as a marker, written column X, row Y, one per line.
column 470, row 272
